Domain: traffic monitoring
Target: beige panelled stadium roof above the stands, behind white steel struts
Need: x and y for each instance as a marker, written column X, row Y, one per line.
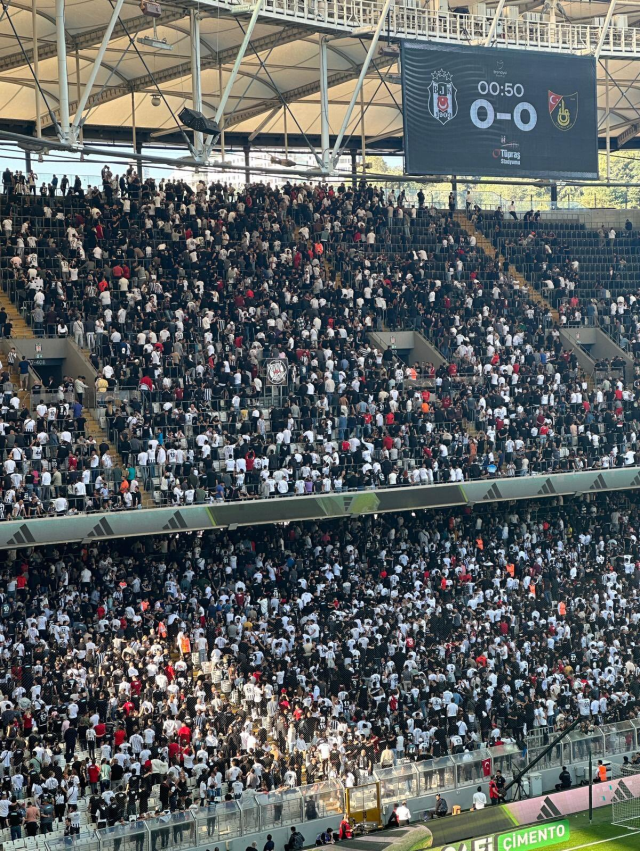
column 281, row 65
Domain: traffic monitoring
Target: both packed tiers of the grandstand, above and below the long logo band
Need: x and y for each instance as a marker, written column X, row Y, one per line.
column 176, row 673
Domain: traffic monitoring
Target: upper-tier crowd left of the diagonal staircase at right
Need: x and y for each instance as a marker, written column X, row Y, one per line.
column 181, row 295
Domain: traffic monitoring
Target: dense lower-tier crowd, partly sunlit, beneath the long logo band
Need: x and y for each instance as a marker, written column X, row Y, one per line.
column 153, row 675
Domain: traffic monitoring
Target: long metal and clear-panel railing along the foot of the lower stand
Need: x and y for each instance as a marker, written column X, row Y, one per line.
column 256, row 812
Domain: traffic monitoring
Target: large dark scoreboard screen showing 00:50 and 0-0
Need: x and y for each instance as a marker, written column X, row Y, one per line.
column 479, row 111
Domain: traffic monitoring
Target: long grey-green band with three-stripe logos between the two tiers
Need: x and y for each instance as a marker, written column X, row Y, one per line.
column 158, row 521
